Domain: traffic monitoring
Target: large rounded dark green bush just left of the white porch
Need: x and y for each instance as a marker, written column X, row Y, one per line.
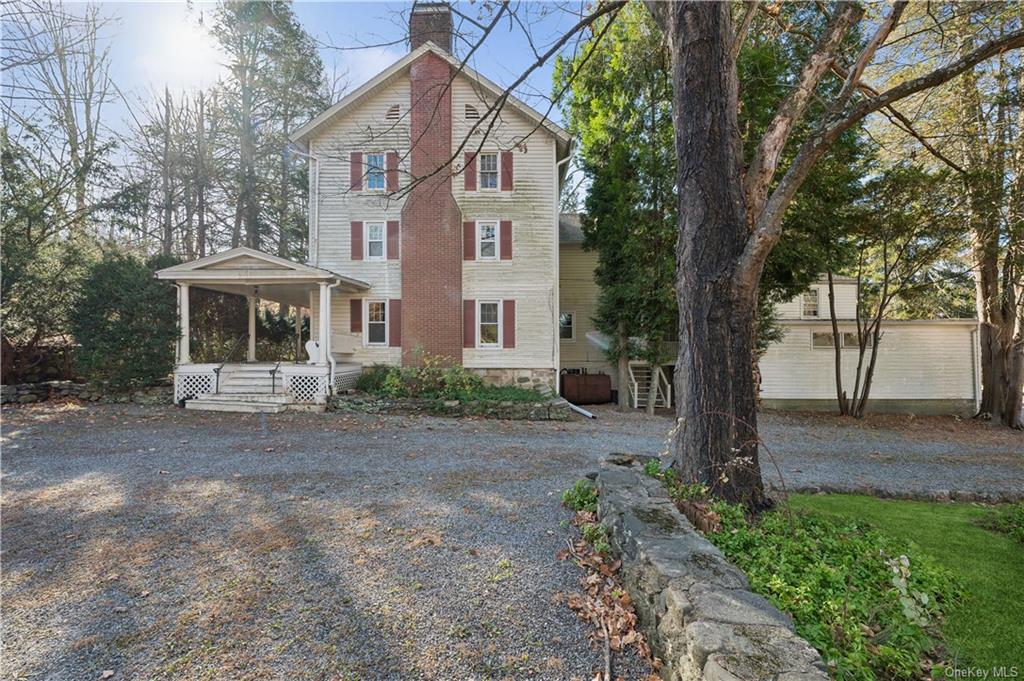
column 125, row 322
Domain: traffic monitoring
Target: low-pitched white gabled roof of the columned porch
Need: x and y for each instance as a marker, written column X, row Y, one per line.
column 248, row 272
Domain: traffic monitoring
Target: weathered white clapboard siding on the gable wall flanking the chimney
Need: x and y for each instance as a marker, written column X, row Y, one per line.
column 530, row 278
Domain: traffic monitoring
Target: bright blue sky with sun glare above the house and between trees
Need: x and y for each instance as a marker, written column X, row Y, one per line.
column 157, row 44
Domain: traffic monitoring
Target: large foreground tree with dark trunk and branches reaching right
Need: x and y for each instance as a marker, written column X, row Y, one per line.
column 731, row 212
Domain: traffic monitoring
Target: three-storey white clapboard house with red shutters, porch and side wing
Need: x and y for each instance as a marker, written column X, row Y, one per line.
column 435, row 228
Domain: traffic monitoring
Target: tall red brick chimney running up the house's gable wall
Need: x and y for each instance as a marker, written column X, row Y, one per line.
column 432, row 222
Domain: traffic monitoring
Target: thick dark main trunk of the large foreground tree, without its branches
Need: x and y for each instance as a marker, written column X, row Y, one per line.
column 716, row 440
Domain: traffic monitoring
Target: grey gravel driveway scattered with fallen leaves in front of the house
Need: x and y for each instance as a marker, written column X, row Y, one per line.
column 159, row 543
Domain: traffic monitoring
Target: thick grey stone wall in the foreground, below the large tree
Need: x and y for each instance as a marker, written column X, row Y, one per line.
column 697, row 609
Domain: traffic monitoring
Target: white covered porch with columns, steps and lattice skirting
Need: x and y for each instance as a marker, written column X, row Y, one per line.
column 257, row 277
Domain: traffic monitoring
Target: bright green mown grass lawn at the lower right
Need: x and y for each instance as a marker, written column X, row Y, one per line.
column 988, row 628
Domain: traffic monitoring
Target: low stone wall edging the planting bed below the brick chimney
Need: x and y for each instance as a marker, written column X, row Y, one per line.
column 548, row 410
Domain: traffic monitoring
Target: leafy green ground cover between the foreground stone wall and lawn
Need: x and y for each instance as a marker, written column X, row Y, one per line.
column 872, row 605
